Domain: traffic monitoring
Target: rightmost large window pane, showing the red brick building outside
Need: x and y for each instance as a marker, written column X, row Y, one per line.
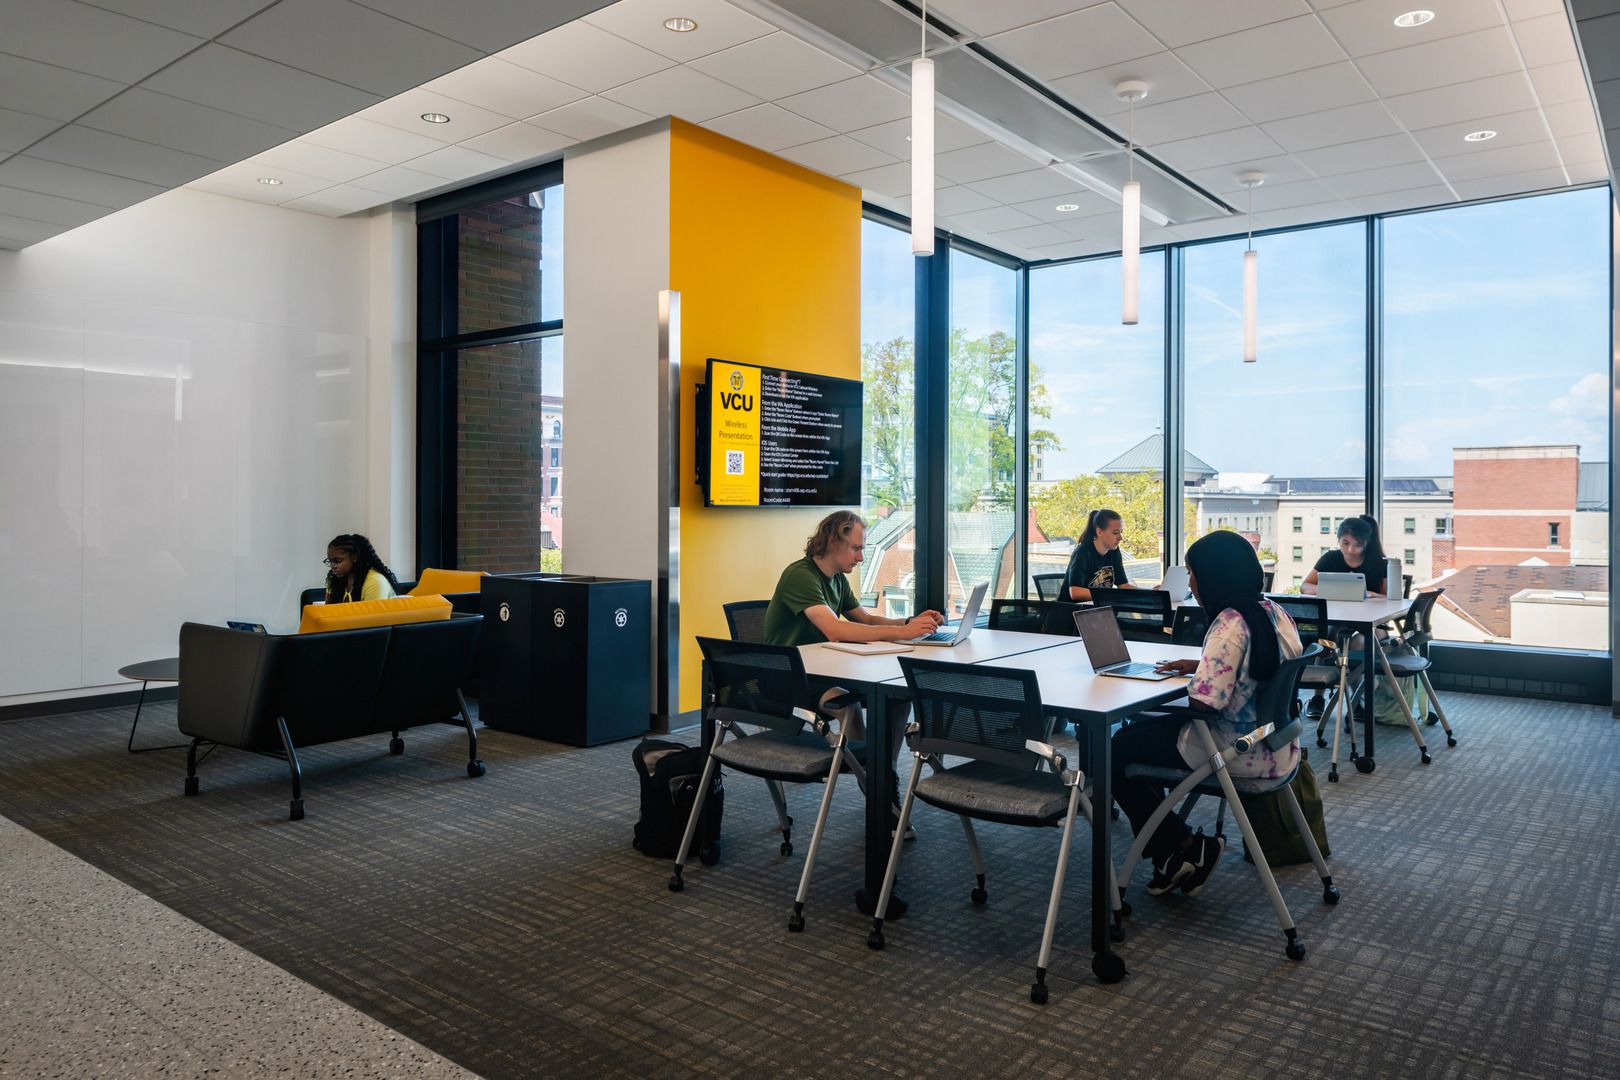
column 1496, row 415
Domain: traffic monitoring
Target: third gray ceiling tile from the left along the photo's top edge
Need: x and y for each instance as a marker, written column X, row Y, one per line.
column 349, row 45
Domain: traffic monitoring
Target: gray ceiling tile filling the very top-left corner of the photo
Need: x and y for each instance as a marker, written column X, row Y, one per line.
column 90, row 40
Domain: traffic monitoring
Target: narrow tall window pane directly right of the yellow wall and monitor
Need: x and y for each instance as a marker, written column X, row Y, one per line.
column 889, row 462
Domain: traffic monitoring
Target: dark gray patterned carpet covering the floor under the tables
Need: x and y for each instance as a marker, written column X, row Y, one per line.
column 508, row 924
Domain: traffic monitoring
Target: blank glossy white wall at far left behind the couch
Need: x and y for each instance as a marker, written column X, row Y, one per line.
column 184, row 425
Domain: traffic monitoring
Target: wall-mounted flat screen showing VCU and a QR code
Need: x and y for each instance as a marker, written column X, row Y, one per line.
column 774, row 438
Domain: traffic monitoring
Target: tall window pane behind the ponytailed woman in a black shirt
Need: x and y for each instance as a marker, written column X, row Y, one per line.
column 1098, row 438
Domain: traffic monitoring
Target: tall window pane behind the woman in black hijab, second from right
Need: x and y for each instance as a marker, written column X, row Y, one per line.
column 1276, row 449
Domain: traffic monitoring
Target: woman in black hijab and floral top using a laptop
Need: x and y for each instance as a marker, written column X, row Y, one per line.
column 1247, row 640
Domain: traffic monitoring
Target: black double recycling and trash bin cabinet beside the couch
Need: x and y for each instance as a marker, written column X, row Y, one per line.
column 568, row 658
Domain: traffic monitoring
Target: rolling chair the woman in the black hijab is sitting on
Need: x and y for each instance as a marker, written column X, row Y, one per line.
column 1277, row 729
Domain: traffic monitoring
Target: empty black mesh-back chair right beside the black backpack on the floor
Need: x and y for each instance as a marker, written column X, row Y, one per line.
column 764, row 687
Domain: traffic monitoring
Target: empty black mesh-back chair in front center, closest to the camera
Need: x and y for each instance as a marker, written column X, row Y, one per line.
column 1012, row 775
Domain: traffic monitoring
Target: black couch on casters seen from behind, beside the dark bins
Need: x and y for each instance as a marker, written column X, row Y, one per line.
column 273, row 694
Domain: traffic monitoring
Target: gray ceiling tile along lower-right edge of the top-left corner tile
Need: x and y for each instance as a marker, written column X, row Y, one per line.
column 263, row 90
